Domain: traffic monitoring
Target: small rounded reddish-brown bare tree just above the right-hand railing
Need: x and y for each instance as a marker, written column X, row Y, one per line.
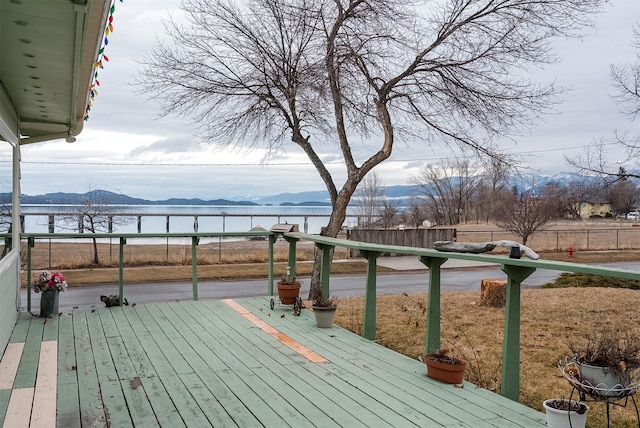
column 523, row 215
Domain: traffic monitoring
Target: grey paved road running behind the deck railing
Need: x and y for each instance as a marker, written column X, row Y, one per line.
column 413, row 281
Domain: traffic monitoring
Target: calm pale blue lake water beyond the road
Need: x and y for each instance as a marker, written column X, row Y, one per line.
column 185, row 218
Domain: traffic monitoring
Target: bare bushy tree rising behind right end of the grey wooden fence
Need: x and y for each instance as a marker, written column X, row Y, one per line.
column 448, row 187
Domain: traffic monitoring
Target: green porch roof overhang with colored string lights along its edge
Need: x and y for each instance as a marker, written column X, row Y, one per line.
column 48, row 49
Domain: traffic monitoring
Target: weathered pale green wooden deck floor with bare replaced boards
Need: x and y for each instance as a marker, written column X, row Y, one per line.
column 224, row 363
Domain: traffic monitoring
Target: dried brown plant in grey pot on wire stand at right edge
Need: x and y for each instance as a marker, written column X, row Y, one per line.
column 606, row 362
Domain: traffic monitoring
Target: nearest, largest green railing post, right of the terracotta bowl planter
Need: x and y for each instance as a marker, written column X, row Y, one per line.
column 510, row 383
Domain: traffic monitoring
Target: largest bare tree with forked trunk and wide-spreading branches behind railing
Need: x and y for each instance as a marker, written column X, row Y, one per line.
column 324, row 74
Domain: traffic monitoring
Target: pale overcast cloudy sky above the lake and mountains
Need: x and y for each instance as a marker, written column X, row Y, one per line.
column 126, row 148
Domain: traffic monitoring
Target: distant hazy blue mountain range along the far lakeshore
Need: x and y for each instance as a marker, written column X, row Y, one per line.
column 312, row 198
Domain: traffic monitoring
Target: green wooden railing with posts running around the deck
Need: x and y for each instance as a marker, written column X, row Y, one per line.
column 517, row 270
